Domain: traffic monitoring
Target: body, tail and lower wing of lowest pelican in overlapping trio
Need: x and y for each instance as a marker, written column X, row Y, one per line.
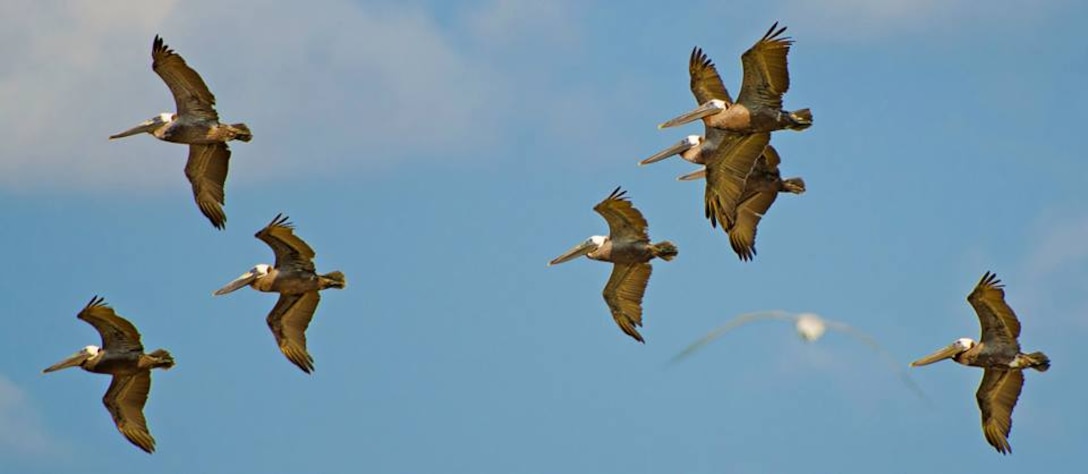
column 761, row 190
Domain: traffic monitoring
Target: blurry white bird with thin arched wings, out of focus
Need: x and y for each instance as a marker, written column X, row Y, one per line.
column 811, row 328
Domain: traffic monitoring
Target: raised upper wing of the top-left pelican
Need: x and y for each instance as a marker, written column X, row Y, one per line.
column 191, row 94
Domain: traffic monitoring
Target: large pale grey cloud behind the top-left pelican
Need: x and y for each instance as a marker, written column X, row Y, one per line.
column 370, row 84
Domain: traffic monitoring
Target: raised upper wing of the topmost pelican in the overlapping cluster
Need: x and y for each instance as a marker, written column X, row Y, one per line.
column 766, row 72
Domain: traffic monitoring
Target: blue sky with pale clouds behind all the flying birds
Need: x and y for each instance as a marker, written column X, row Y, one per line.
column 440, row 155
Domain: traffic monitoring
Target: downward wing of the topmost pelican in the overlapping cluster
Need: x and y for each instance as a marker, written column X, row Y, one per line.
column 727, row 173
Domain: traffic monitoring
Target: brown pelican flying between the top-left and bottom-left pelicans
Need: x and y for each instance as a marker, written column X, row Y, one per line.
column 295, row 279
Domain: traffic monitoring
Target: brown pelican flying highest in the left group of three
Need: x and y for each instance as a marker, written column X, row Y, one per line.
column 197, row 124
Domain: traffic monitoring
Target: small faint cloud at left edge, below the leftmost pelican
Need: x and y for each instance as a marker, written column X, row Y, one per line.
column 21, row 431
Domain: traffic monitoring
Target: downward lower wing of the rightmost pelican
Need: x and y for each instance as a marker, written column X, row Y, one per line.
column 997, row 398
